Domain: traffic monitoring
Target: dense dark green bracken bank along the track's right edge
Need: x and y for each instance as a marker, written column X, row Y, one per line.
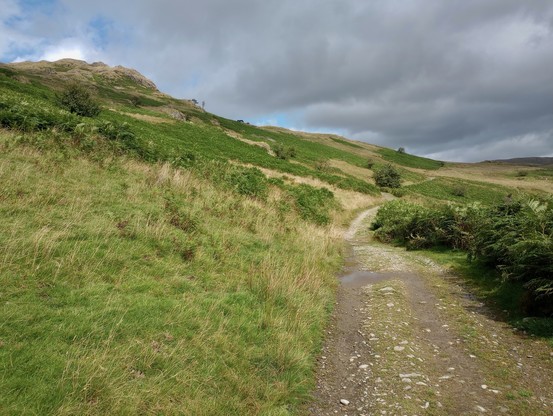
column 515, row 238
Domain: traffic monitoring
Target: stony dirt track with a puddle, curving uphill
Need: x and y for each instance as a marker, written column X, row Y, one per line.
column 408, row 339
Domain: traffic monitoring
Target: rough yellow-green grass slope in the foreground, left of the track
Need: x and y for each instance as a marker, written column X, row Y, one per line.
column 144, row 289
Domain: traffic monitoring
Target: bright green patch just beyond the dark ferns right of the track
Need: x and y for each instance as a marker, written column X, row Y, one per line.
column 463, row 191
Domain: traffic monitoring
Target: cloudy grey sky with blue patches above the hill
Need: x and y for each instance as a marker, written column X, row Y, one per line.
column 463, row 80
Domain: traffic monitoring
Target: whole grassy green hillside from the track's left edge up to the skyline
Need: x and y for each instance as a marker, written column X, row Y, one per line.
column 160, row 259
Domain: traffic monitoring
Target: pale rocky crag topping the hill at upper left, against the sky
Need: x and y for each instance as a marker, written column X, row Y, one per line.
column 74, row 69
